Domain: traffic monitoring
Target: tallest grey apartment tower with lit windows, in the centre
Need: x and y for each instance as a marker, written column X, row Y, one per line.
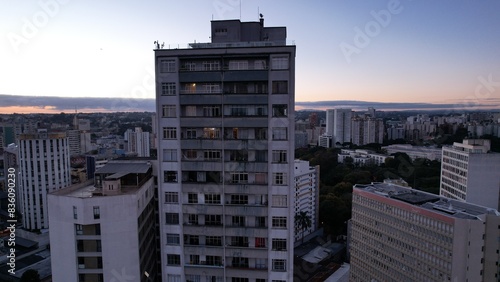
column 225, row 145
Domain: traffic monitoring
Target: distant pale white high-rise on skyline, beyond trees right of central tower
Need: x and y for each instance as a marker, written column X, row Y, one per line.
column 338, row 125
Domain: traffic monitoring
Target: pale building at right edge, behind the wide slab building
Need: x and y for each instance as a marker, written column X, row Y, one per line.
column 471, row 173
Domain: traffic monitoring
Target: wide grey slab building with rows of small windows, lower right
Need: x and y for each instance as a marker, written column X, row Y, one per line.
column 401, row 234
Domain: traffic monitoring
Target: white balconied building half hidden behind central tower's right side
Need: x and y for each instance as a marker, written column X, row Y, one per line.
column 306, row 195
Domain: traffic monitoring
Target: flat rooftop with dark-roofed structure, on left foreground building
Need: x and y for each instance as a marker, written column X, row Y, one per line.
column 129, row 175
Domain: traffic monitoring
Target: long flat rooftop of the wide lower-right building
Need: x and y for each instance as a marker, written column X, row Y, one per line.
column 434, row 203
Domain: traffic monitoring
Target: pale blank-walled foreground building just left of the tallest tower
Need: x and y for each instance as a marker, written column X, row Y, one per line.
column 104, row 229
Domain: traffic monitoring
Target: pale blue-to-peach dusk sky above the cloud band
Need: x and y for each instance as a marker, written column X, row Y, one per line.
column 377, row 51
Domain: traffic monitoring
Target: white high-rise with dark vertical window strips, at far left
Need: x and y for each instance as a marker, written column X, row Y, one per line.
column 45, row 167
